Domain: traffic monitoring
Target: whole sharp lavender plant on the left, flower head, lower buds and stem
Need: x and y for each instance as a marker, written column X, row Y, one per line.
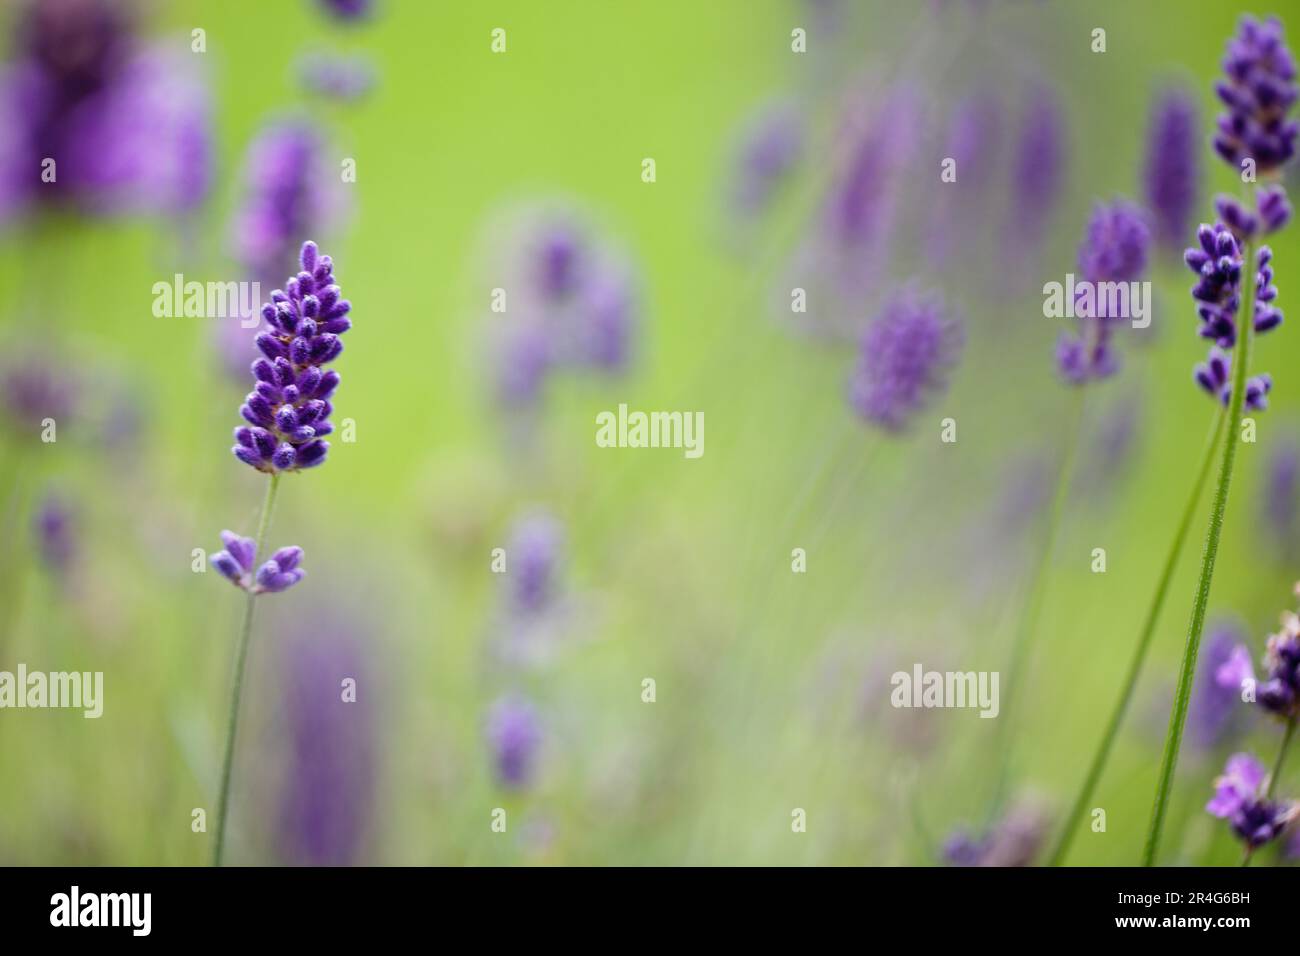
column 288, row 414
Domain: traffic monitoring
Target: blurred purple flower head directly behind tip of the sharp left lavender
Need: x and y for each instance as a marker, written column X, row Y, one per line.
column 285, row 200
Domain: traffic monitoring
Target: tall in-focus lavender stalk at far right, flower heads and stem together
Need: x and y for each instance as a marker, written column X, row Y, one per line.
column 1255, row 132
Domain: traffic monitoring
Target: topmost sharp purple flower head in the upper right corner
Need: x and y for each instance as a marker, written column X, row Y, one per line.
column 1259, row 92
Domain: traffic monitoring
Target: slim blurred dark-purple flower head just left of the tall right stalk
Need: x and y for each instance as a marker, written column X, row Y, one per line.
column 1173, row 166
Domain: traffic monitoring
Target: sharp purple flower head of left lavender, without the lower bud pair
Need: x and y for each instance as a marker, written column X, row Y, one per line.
column 289, row 409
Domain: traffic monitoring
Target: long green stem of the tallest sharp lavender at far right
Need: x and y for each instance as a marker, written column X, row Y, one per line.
column 1178, row 716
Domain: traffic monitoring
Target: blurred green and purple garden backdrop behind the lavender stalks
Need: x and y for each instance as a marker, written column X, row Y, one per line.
column 474, row 693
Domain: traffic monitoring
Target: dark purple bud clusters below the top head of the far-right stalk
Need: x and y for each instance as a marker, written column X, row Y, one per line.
column 1217, row 262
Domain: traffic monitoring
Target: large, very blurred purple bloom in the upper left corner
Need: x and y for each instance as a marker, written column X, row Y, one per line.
column 127, row 126
